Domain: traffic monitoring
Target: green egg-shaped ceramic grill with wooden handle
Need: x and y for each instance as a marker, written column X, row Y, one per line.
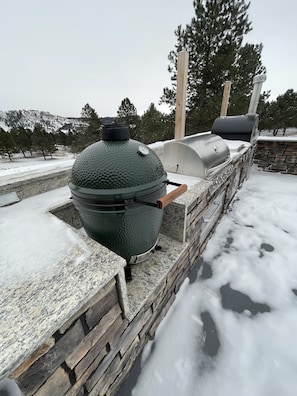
column 118, row 186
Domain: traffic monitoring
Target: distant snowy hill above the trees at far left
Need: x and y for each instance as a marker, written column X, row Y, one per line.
column 51, row 123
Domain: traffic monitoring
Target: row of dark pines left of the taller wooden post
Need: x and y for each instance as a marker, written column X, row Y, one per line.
column 151, row 126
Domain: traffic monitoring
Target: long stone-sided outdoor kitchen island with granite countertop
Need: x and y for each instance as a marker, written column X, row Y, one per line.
column 76, row 326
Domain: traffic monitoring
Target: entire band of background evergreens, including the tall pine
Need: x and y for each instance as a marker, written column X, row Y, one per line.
column 218, row 51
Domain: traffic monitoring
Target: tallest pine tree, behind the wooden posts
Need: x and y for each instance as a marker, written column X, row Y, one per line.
column 214, row 41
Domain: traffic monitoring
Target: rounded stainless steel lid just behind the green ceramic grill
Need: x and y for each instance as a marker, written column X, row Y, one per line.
column 198, row 155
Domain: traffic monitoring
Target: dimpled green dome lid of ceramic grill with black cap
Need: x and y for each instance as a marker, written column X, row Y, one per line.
column 116, row 163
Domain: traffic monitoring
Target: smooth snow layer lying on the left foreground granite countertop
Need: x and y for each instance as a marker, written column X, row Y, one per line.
column 32, row 239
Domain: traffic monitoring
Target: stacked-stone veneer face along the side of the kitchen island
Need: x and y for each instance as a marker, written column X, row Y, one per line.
column 92, row 353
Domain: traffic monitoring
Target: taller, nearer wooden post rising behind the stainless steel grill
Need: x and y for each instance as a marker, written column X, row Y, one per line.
column 181, row 93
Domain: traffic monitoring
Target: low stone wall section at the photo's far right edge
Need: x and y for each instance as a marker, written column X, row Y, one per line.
column 277, row 155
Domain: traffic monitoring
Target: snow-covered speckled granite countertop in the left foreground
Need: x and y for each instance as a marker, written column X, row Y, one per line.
column 39, row 295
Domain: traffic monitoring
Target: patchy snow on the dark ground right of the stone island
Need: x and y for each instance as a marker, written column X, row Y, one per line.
column 232, row 330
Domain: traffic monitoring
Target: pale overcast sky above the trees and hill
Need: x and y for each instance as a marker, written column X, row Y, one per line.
column 58, row 55
